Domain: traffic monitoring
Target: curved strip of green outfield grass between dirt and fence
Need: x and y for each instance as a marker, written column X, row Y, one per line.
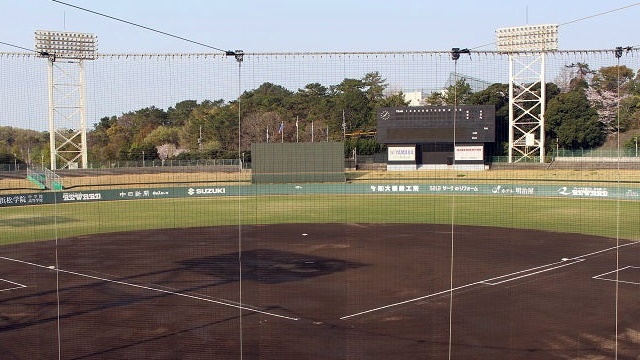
column 608, row 218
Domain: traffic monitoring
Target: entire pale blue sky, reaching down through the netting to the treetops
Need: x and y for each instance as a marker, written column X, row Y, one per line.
column 274, row 26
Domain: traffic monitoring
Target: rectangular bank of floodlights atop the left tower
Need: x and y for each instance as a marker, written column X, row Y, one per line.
column 66, row 45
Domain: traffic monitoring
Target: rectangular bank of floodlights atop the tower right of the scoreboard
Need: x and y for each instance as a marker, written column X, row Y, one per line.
column 538, row 38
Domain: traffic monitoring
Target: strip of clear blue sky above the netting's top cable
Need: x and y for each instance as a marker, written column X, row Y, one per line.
column 316, row 26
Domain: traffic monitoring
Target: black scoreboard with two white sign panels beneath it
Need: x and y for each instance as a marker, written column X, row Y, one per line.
column 436, row 137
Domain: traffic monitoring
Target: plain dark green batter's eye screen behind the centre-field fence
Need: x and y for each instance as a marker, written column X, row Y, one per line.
column 297, row 162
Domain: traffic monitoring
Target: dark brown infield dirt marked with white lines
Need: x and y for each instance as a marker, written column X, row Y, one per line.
column 342, row 291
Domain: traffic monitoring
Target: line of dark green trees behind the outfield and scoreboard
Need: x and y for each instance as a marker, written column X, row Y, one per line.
column 584, row 107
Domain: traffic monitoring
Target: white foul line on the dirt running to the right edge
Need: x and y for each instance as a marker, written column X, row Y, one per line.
column 570, row 261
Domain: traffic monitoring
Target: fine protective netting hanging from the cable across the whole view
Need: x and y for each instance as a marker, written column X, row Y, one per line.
column 139, row 256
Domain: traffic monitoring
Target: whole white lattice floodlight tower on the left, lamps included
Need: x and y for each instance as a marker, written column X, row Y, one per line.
column 66, row 52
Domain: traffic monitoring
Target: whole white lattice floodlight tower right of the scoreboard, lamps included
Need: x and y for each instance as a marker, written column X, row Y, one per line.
column 526, row 47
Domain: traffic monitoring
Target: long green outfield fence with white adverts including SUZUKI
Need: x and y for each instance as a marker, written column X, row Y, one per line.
column 559, row 191
